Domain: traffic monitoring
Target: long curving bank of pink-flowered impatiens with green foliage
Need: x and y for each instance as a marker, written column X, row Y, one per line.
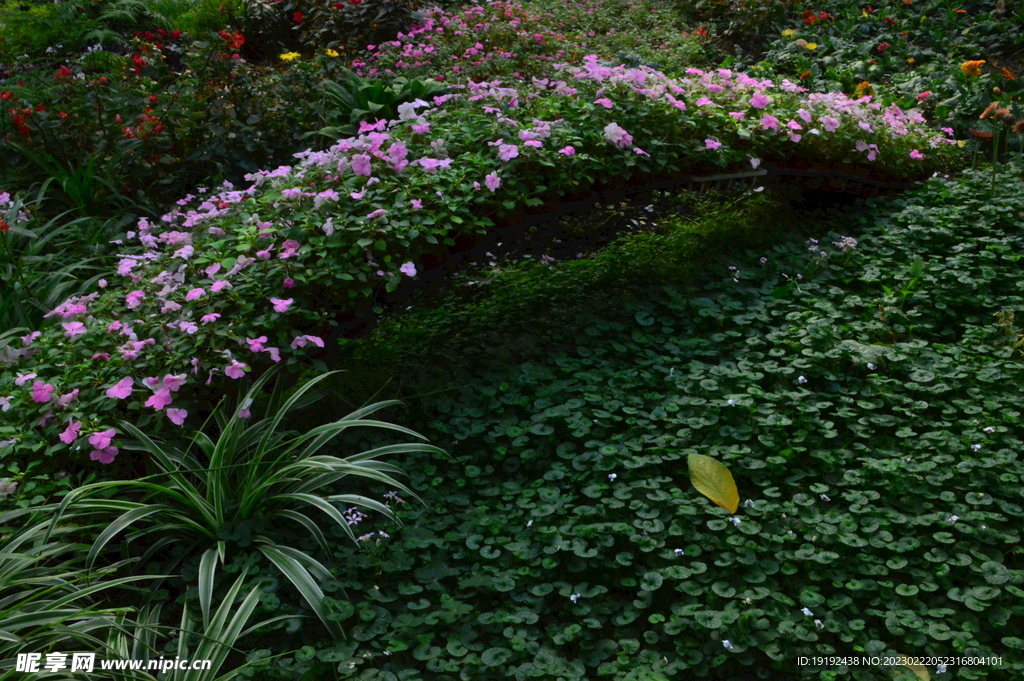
column 228, row 282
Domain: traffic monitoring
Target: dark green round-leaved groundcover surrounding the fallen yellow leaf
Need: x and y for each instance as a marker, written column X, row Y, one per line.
column 864, row 390
